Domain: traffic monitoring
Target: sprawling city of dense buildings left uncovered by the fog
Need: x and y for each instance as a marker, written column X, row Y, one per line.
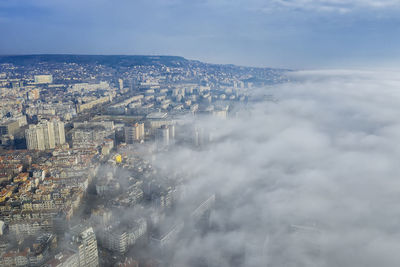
column 80, row 141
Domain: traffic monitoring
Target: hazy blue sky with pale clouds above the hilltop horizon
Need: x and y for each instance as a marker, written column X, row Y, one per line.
column 301, row 34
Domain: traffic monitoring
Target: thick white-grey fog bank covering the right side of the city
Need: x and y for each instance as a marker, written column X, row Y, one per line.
column 311, row 179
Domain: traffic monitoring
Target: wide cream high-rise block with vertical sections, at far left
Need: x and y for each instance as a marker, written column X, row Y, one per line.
column 45, row 135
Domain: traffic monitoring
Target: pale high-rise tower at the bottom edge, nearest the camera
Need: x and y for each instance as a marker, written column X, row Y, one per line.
column 85, row 243
